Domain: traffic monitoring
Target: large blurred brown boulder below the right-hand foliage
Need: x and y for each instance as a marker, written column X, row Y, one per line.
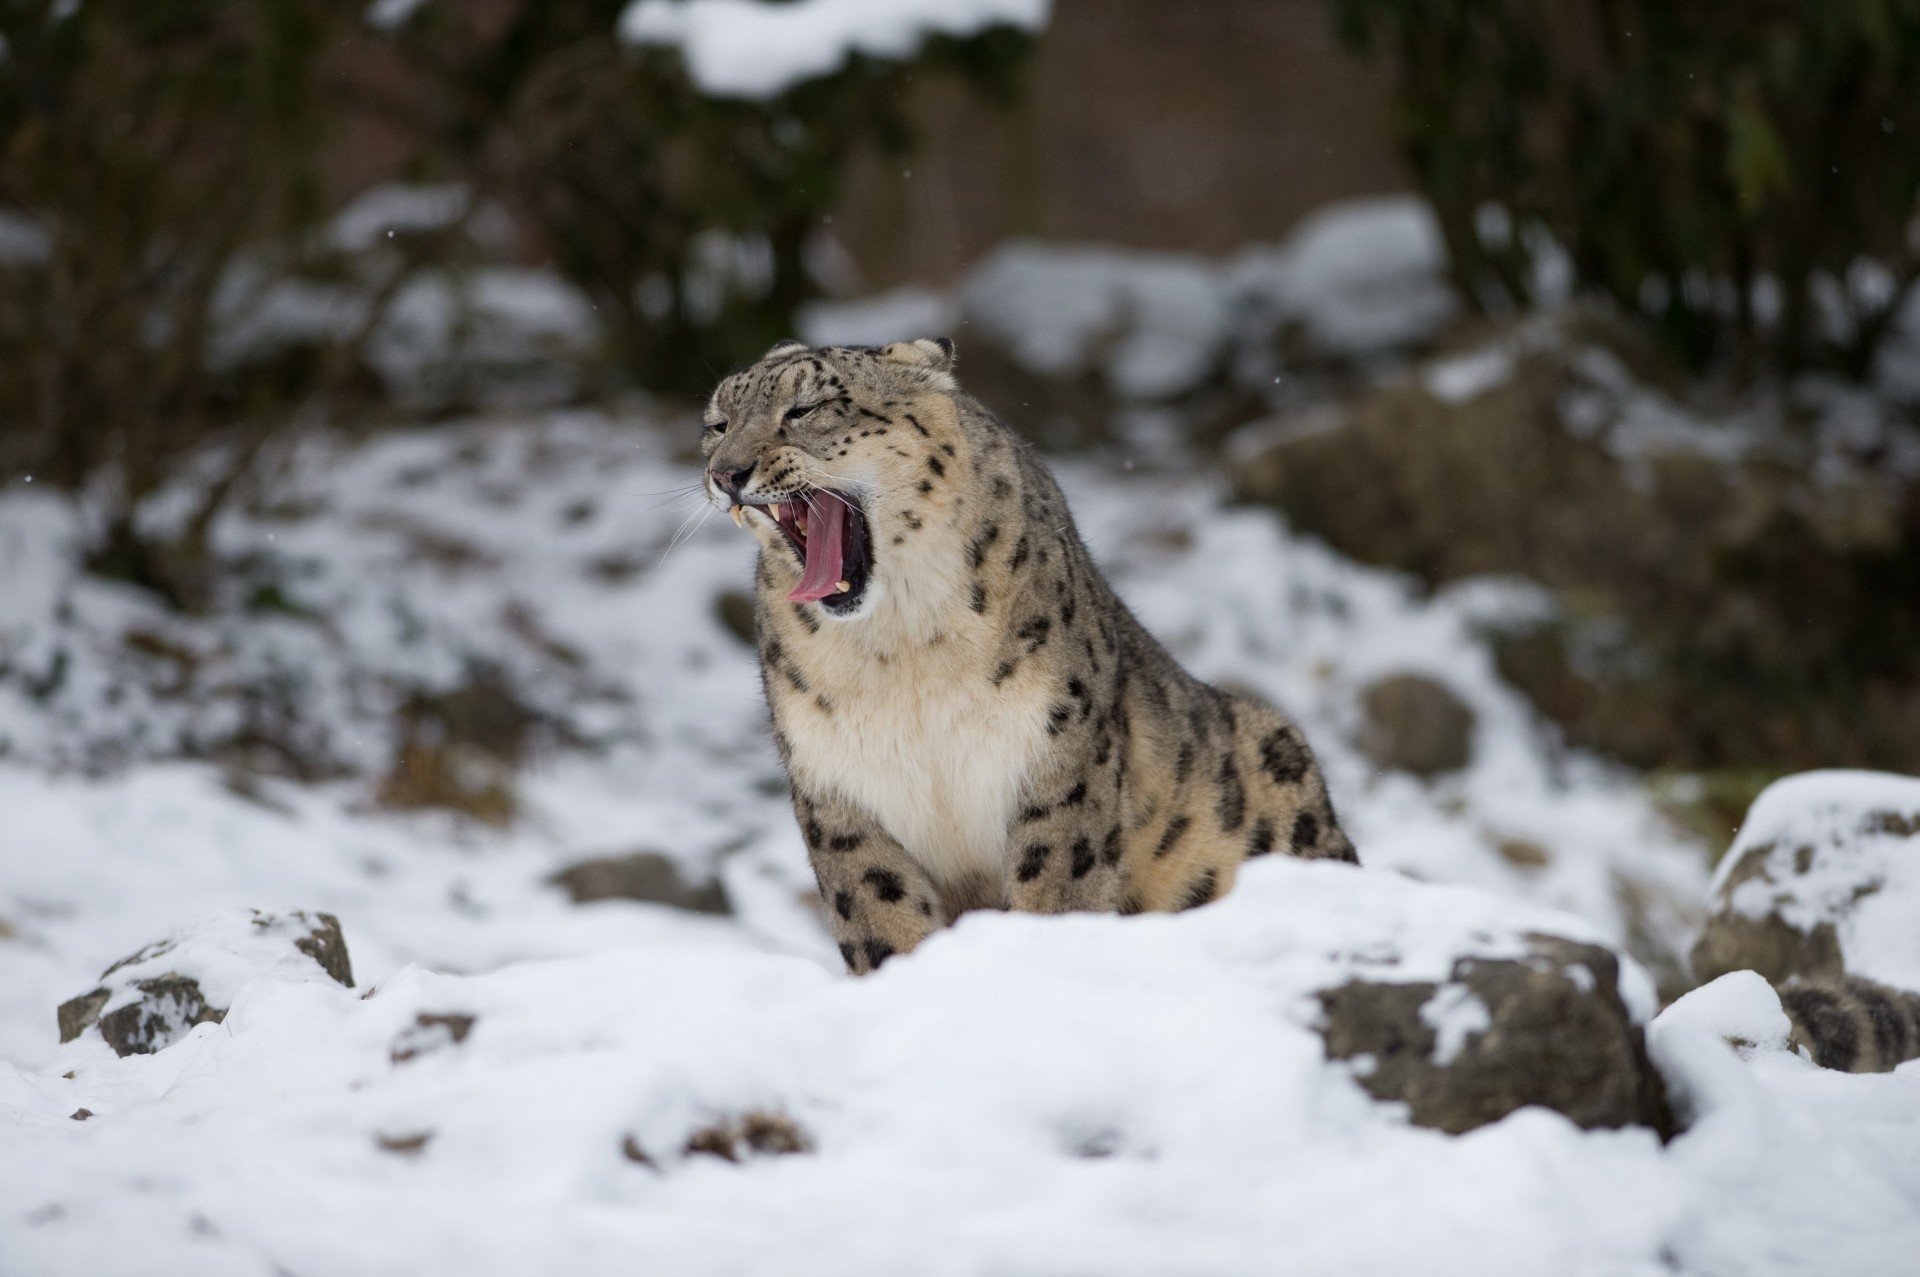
column 1731, row 596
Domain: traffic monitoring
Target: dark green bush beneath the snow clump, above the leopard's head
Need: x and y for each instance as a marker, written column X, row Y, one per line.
column 684, row 218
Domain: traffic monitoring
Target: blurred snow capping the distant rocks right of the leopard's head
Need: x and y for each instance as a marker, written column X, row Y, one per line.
column 1358, row 283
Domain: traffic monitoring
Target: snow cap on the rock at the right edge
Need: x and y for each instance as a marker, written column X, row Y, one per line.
column 1838, row 848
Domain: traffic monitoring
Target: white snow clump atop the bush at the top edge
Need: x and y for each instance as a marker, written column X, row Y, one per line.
column 752, row 49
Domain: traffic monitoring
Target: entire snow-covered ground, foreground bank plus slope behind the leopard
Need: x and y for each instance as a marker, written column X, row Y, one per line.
column 1024, row 1096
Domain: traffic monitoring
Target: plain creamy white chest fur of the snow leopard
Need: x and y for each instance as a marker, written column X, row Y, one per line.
column 928, row 746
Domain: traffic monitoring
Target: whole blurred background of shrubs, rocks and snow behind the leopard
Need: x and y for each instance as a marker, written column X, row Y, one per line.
column 1522, row 393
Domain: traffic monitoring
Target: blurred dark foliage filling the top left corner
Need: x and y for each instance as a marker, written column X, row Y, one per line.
column 151, row 143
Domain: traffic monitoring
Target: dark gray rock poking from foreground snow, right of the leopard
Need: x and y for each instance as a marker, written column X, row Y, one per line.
column 1499, row 1036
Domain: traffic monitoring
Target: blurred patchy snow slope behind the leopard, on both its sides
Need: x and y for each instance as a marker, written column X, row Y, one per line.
column 540, row 556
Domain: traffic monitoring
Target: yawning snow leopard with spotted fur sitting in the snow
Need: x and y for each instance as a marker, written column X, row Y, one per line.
column 969, row 715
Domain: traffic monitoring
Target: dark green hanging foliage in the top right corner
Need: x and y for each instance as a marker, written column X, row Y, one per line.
column 1681, row 151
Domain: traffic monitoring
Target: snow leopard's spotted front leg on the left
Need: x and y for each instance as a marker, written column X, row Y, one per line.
column 878, row 900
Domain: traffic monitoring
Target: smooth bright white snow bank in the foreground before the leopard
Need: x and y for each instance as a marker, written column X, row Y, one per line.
column 1093, row 1094
